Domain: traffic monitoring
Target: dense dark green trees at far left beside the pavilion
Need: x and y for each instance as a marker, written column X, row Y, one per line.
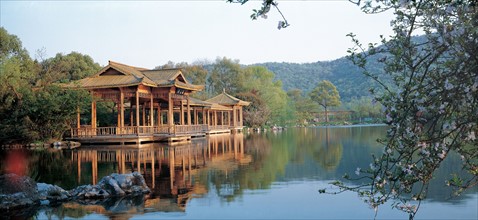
column 32, row 108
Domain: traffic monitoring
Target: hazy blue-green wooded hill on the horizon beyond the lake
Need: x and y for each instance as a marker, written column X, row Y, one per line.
column 347, row 77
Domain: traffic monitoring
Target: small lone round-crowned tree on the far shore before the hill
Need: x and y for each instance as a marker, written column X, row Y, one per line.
column 326, row 95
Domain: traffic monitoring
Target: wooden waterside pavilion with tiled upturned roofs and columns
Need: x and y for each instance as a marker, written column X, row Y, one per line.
column 157, row 104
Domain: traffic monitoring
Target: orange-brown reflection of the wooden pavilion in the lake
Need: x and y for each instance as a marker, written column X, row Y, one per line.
column 169, row 170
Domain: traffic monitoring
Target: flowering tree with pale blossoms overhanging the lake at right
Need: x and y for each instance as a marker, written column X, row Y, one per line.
column 434, row 111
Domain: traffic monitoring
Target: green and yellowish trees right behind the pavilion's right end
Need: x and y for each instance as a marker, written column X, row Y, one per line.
column 254, row 83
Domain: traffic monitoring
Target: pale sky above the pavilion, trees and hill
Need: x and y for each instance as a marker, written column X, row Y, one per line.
column 151, row 33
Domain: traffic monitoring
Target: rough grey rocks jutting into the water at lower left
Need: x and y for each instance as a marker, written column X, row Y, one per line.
column 18, row 192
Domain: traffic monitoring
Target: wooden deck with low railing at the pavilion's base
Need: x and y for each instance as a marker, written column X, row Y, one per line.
column 145, row 134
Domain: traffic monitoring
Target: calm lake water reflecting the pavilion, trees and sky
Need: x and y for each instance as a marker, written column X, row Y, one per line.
column 269, row 175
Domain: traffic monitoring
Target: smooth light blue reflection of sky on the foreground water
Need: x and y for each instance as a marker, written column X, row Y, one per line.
column 301, row 200
